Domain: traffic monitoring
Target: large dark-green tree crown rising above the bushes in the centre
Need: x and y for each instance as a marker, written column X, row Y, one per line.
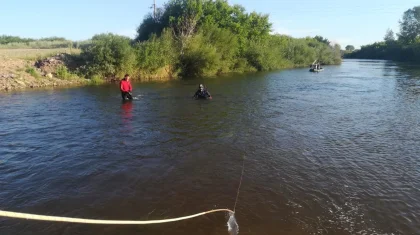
column 185, row 17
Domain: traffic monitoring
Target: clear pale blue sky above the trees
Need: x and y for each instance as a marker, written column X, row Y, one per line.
column 356, row 22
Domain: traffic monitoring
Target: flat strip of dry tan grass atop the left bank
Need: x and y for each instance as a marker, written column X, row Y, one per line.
column 34, row 54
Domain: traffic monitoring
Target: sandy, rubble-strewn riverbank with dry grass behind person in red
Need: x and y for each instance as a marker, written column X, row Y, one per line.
column 17, row 73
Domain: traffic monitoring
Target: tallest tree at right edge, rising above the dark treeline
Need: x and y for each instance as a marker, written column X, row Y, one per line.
column 410, row 25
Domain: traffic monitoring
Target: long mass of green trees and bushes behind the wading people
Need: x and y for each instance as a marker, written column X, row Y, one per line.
column 202, row 37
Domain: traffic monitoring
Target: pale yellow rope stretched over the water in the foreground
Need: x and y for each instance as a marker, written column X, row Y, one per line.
column 95, row 221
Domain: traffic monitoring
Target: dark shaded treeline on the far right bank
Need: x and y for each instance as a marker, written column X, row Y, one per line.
column 406, row 47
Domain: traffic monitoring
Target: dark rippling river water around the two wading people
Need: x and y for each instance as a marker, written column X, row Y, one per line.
column 336, row 152
